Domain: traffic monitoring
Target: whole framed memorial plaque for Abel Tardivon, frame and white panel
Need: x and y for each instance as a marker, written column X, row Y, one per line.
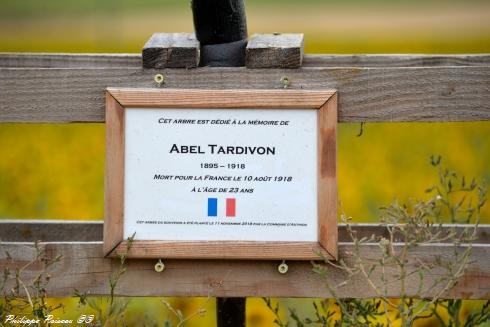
column 229, row 174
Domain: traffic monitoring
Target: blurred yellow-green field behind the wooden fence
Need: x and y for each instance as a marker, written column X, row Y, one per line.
column 56, row 171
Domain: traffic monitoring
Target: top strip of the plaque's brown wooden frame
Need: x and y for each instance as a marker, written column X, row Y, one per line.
column 173, row 98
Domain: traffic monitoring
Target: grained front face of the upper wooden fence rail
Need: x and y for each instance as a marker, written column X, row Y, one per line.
column 365, row 94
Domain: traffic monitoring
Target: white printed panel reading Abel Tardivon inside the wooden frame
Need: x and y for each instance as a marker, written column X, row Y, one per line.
column 221, row 174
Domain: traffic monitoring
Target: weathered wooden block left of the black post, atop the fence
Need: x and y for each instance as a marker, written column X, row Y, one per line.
column 173, row 50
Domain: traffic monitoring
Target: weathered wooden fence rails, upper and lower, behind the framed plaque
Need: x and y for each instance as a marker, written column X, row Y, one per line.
column 59, row 88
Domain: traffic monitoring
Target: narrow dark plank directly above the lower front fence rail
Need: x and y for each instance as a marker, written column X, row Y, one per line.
column 31, row 230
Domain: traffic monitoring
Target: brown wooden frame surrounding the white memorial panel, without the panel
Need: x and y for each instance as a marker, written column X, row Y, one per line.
column 324, row 101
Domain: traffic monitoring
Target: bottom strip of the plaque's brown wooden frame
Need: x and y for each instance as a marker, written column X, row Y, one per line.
column 222, row 250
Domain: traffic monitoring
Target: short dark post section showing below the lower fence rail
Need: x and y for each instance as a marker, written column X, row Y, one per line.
column 230, row 312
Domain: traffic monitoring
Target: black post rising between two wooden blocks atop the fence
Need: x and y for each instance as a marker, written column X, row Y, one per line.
column 221, row 28
